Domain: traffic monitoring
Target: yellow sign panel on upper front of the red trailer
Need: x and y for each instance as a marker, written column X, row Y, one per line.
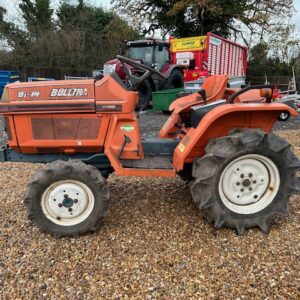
column 188, row 44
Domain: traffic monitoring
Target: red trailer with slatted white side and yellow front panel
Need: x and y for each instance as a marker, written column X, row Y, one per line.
column 203, row 56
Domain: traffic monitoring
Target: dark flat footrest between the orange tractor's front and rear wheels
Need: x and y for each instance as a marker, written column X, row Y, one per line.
column 150, row 162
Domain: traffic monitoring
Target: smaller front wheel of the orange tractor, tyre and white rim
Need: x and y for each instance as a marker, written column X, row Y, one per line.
column 67, row 198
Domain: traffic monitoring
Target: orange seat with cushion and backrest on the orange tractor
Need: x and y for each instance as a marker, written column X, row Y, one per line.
column 214, row 87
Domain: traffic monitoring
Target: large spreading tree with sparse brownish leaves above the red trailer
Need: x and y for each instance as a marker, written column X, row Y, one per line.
column 242, row 18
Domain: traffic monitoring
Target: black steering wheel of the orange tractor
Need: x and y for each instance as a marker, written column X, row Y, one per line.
column 135, row 80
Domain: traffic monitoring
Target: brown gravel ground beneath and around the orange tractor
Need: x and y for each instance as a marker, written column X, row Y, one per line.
column 154, row 245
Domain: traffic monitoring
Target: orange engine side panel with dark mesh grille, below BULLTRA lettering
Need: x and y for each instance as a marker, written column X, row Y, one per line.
column 60, row 133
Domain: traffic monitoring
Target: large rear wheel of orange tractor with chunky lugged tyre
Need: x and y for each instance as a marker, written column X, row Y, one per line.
column 245, row 179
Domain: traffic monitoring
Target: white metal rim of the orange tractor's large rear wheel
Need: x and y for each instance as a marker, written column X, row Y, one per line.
column 249, row 184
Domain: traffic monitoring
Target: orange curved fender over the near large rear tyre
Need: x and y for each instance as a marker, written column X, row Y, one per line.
column 220, row 121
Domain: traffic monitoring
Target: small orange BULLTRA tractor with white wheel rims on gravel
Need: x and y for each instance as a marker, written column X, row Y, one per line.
column 241, row 174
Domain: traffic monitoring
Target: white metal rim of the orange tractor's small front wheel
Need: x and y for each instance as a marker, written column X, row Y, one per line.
column 67, row 202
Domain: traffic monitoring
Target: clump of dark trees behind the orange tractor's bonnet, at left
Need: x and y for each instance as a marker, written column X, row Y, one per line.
column 75, row 35
